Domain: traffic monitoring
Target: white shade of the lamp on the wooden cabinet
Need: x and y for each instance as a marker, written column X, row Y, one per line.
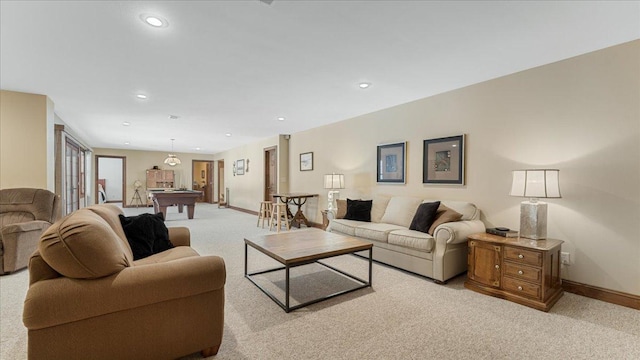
column 542, row 183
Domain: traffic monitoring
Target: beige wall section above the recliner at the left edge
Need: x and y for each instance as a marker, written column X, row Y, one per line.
column 26, row 141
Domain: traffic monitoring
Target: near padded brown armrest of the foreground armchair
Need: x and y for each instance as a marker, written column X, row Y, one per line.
column 64, row 300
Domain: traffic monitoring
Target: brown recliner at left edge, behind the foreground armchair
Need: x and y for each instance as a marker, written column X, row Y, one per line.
column 24, row 215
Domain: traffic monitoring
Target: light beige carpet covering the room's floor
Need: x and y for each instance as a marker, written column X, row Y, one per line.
column 401, row 317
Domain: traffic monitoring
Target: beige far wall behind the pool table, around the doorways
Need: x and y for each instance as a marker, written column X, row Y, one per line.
column 138, row 162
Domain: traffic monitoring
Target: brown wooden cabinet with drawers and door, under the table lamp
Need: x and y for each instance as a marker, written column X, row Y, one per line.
column 521, row 270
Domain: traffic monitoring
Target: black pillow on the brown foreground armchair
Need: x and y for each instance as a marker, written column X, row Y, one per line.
column 146, row 234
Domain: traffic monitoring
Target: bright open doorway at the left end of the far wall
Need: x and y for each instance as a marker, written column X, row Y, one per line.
column 110, row 179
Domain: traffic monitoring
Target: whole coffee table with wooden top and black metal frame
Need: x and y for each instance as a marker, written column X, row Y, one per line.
column 302, row 247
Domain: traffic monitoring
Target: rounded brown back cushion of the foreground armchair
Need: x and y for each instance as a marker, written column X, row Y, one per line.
column 83, row 245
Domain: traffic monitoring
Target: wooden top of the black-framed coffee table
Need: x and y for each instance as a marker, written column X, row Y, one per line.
column 300, row 246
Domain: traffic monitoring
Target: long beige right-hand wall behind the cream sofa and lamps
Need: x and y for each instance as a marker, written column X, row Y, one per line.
column 581, row 115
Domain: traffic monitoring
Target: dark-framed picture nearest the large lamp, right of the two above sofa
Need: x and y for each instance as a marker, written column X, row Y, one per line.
column 443, row 161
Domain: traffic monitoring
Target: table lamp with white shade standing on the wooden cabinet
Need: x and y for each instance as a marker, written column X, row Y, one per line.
column 535, row 184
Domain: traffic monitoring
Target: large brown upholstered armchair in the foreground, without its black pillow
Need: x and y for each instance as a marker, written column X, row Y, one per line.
column 88, row 298
